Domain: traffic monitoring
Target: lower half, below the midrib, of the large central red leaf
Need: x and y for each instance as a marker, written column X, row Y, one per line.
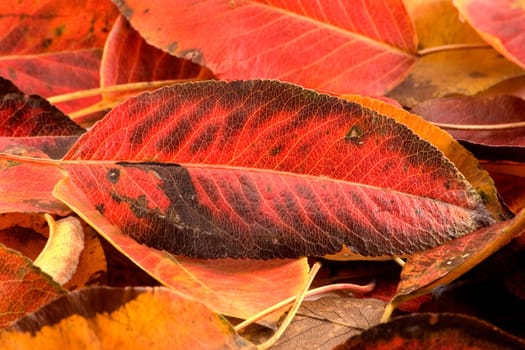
column 213, row 212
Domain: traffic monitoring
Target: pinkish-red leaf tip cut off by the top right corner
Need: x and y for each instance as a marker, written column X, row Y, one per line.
column 500, row 24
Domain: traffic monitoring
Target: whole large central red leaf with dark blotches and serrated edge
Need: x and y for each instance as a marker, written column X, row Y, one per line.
column 272, row 170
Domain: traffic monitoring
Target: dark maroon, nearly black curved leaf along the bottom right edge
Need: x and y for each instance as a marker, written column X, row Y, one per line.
column 433, row 332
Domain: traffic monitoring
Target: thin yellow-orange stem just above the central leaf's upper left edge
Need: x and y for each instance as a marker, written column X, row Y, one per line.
column 113, row 88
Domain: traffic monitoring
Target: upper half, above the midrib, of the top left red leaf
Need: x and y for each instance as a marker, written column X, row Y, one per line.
column 51, row 26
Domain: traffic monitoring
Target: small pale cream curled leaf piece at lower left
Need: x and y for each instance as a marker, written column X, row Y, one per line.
column 60, row 257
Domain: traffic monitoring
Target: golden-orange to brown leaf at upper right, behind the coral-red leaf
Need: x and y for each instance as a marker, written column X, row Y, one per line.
column 452, row 58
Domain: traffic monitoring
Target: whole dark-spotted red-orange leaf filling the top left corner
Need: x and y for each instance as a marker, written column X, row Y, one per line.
column 50, row 48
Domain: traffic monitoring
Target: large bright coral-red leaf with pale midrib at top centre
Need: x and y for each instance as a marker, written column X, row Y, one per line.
column 340, row 47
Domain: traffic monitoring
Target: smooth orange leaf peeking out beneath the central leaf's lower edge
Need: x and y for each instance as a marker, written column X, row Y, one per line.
column 236, row 288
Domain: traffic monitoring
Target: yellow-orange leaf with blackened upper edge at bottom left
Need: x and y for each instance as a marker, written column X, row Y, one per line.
column 130, row 318
